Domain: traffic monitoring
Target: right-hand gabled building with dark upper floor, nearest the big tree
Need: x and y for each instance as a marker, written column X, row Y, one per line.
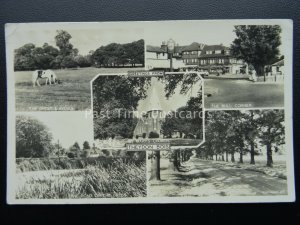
column 218, row 58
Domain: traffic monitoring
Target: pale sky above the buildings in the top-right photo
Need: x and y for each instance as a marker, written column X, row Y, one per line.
column 209, row 32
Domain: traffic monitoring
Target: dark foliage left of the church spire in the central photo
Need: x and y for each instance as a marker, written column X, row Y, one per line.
column 115, row 99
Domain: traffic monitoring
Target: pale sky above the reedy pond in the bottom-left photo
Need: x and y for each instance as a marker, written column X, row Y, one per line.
column 67, row 127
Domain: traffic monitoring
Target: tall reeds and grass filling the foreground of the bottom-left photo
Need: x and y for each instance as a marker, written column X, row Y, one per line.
column 117, row 180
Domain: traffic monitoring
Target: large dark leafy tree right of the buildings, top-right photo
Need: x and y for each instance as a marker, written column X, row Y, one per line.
column 257, row 45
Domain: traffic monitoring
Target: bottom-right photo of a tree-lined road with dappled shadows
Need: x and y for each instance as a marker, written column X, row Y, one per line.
column 244, row 154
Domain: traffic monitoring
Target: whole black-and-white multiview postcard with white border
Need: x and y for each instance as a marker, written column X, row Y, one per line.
column 150, row 112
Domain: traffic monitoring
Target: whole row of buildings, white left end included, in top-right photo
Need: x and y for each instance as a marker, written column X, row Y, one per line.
column 212, row 58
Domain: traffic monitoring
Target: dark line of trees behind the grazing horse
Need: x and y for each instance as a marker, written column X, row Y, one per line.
column 64, row 55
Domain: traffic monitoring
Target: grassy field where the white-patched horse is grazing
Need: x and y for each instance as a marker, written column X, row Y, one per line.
column 73, row 93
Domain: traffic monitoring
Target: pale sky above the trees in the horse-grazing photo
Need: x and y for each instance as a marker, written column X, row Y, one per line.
column 84, row 37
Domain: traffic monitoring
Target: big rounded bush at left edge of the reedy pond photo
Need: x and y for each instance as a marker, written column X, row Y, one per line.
column 33, row 138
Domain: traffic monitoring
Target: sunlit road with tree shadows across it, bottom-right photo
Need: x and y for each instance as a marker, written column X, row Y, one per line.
column 207, row 178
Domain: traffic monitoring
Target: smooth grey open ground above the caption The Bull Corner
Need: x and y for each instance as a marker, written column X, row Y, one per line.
column 229, row 93
